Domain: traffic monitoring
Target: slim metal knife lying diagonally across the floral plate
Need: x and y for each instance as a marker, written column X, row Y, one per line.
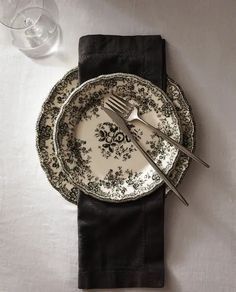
column 112, row 113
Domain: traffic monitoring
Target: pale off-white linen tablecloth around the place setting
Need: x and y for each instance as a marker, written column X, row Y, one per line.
column 38, row 228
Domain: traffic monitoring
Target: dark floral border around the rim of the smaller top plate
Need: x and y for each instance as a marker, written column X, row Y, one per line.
column 85, row 103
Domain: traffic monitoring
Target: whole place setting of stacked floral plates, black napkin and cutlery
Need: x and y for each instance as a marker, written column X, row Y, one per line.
column 115, row 136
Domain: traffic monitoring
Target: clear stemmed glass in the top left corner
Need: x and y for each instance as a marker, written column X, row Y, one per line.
column 32, row 24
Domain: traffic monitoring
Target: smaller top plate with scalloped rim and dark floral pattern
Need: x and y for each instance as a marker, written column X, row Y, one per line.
column 94, row 152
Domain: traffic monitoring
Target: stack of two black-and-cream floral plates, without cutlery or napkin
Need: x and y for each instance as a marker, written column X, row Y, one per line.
column 80, row 148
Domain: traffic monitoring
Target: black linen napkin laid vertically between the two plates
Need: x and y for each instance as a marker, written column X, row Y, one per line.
column 121, row 245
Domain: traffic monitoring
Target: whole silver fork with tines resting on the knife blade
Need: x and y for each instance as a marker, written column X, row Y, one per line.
column 130, row 113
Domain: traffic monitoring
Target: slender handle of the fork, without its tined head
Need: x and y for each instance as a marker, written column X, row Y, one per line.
column 172, row 141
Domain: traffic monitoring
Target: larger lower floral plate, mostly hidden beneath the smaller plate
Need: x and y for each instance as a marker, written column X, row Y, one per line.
column 49, row 112
